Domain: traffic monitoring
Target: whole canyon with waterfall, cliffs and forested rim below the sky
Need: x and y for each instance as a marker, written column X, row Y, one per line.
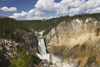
column 62, row 42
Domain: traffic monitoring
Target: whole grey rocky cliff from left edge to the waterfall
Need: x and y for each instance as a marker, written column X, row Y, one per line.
column 8, row 47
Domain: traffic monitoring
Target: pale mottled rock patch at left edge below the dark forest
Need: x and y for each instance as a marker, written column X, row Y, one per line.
column 7, row 47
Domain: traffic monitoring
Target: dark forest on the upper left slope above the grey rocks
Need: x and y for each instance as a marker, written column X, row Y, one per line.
column 8, row 27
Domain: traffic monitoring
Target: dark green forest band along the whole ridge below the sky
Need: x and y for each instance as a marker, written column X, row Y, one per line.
column 8, row 25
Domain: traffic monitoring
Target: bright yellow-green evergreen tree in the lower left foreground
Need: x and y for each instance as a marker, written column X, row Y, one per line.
column 20, row 60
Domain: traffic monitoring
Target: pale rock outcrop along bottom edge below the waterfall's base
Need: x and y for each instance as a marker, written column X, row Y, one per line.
column 73, row 63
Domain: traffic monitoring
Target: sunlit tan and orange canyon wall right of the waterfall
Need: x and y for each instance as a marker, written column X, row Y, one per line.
column 77, row 38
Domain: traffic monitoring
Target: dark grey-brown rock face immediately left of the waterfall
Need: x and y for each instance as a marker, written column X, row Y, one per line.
column 30, row 40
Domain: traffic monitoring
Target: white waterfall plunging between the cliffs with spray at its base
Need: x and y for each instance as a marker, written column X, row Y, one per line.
column 42, row 49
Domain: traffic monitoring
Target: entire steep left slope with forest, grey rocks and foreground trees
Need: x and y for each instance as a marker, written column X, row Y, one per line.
column 14, row 35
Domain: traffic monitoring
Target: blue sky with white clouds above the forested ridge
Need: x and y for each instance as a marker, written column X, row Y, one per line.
column 46, row 9
